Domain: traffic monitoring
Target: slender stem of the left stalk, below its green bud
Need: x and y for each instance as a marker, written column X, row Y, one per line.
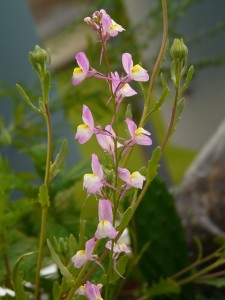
column 44, row 210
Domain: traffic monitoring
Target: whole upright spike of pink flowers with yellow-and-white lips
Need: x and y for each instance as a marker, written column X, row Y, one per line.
column 98, row 182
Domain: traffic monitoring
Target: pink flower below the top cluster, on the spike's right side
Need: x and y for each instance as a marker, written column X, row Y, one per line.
column 136, row 72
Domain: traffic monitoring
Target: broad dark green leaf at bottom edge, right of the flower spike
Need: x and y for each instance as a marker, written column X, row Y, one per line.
column 163, row 287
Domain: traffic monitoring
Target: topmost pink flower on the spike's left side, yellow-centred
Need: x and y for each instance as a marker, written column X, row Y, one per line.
column 81, row 72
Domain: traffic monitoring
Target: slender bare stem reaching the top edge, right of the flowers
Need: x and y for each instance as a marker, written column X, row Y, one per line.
column 157, row 64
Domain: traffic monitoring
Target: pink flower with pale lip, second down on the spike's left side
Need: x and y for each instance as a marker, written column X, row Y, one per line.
column 86, row 130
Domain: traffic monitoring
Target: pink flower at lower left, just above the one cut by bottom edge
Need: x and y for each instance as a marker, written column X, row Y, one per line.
column 82, row 256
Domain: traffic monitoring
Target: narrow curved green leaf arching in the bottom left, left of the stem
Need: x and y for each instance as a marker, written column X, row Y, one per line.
column 17, row 278
